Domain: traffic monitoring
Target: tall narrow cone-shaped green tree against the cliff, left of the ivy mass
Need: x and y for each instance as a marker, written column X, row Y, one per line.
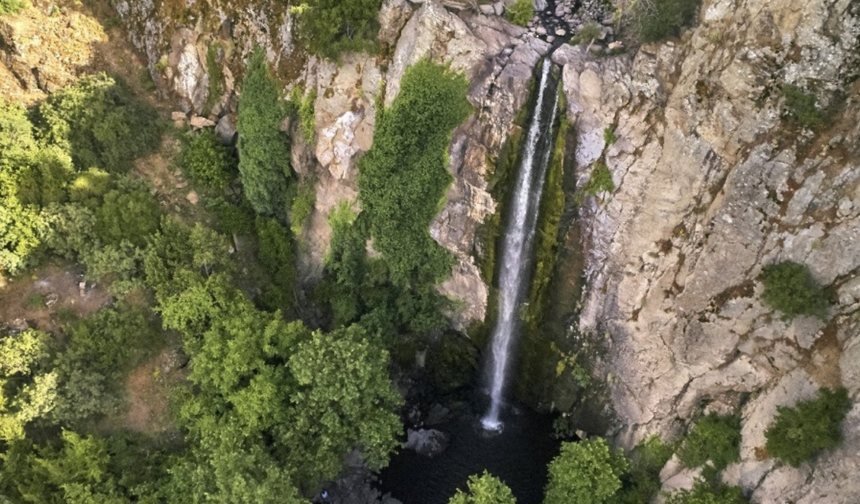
column 263, row 153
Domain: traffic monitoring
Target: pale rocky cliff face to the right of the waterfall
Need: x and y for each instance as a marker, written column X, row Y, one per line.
column 713, row 184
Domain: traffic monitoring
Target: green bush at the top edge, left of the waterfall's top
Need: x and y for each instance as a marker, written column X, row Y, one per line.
column 331, row 27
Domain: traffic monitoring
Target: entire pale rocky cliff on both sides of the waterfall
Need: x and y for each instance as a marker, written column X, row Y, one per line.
column 713, row 182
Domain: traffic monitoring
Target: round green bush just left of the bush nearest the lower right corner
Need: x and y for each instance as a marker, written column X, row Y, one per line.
column 715, row 438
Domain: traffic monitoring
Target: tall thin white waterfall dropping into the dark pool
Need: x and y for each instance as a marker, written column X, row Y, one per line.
column 516, row 248
